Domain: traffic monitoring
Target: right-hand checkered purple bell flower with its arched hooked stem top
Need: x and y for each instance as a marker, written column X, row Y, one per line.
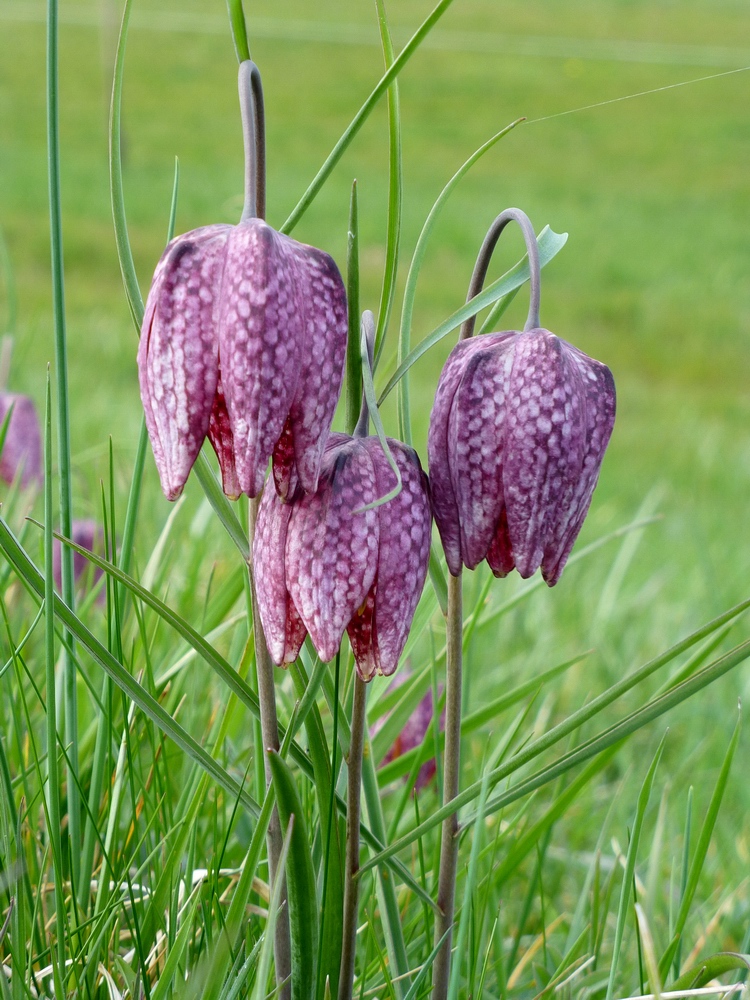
column 517, row 435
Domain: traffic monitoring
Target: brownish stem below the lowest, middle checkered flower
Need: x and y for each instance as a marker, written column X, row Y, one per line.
column 353, row 812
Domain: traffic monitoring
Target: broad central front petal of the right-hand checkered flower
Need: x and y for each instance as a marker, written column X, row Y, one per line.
column 544, row 444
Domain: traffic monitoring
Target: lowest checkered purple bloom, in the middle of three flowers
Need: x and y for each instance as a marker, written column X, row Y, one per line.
column 323, row 565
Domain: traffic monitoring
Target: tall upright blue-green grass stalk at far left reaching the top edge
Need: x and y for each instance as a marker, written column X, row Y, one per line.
column 63, row 458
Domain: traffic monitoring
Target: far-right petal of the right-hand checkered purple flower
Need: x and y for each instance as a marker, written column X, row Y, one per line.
column 597, row 390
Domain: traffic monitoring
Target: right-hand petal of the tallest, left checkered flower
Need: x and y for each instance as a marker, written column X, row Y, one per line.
column 322, row 355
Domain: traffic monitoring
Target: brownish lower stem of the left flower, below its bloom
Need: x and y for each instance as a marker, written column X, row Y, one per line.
column 270, row 731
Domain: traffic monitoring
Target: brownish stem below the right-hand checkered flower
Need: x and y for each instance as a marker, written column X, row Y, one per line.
column 451, row 774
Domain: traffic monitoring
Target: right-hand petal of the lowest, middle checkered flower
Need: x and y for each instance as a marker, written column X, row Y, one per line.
column 404, row 551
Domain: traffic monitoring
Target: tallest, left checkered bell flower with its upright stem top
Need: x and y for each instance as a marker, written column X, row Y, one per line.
column 243, row 341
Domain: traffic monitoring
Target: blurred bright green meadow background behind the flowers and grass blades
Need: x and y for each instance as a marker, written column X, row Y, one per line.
column 654, row 192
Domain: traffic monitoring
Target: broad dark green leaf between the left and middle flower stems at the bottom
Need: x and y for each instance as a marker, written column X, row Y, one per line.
column 300, row 879
